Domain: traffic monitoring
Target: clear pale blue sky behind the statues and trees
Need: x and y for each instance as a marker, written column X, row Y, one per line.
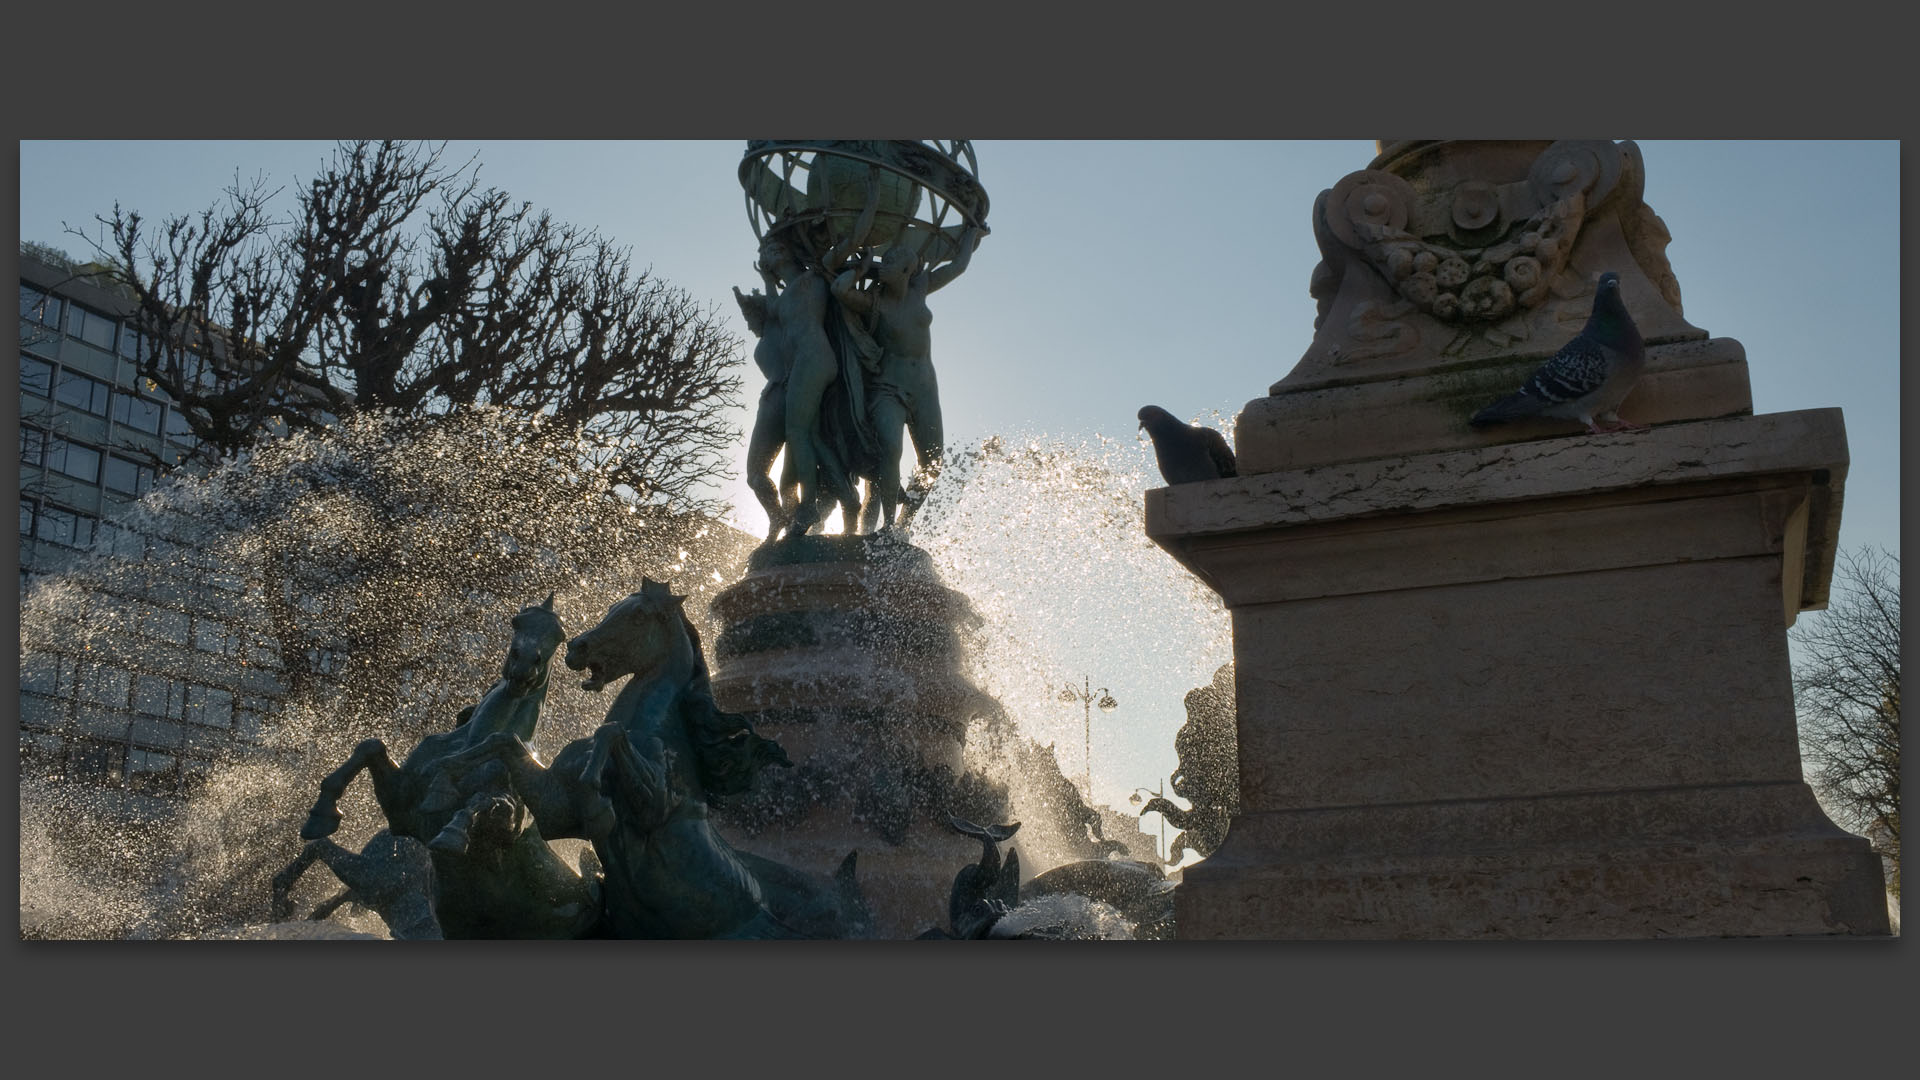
column 1174, row 274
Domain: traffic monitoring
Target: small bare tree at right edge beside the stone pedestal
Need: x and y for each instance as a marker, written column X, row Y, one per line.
column 1848, row 691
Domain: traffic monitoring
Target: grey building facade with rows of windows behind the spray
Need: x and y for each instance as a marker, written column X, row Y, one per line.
column 93, row 439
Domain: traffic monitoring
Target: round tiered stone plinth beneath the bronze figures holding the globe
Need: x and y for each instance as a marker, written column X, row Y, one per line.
column 848, row 652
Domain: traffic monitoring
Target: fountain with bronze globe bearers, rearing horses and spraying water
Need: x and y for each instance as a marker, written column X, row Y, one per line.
column 372, row 572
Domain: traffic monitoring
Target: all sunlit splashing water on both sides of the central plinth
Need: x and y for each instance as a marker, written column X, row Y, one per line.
column 358, row 583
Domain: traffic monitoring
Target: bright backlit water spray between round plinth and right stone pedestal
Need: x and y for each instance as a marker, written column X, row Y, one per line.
column 1045, row 537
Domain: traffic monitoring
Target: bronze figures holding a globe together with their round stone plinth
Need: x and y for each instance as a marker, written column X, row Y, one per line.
column 848, row 649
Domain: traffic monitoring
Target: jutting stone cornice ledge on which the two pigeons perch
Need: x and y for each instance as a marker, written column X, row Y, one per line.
column 1358, row 516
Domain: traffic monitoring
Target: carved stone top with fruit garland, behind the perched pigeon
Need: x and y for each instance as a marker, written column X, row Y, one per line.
column 1416, row 333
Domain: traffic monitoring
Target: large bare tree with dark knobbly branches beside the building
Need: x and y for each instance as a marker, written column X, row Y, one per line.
column 404, row 287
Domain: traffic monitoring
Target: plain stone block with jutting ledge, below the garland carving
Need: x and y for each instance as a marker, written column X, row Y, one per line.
column 1527, row 691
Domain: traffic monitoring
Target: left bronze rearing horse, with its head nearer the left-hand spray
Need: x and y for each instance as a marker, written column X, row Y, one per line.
column 492, row 875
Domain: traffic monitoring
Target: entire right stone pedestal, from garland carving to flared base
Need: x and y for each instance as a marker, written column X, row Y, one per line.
column 1516, row 681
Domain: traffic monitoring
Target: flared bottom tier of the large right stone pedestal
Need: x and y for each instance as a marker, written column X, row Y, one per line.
column 1754, row 860
